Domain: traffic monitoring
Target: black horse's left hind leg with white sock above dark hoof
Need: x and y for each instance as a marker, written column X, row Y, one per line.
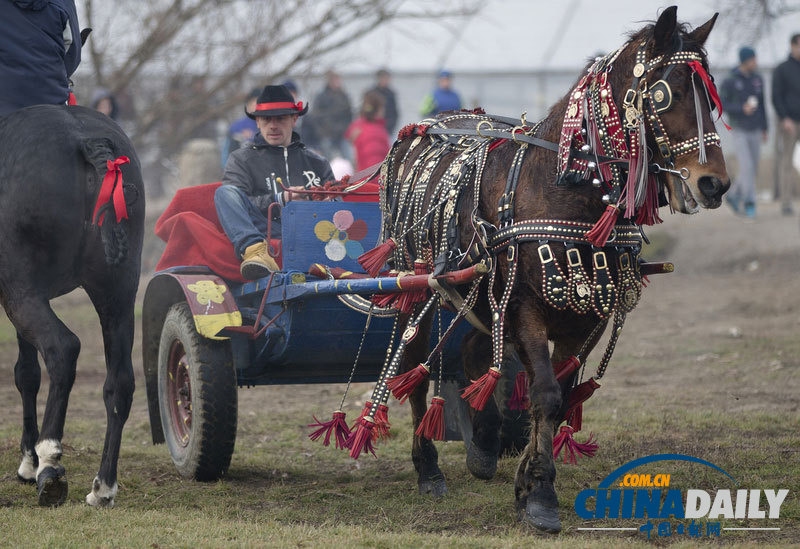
column 36, row 322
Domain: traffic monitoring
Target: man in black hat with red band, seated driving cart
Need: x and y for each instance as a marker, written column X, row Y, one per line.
column 250, row 181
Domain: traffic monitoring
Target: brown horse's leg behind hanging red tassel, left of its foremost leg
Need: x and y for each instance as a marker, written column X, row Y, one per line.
column 483, row 450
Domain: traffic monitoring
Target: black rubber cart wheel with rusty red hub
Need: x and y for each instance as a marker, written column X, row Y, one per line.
column 197, row 397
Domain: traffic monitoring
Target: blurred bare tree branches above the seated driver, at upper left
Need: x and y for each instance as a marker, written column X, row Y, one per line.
column 188, row 62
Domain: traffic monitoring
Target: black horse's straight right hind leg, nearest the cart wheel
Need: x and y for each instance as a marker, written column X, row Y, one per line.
column 117, row 322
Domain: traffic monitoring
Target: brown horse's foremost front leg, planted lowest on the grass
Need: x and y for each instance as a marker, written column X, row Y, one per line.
column 536, row 501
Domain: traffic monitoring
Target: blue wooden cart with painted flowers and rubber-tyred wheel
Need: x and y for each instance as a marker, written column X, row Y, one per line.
column 204, row 336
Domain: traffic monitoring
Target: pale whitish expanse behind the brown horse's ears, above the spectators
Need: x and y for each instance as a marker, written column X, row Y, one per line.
column 532, row 34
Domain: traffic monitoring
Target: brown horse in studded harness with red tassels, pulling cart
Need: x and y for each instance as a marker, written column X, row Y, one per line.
column 653, row 83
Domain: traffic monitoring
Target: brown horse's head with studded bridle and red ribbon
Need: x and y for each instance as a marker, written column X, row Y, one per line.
column 676, row 97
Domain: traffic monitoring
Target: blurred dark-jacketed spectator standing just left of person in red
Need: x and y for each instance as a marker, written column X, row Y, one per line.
column 331, row 115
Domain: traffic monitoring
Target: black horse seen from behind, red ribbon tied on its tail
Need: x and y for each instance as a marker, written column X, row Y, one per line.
column 53, row 163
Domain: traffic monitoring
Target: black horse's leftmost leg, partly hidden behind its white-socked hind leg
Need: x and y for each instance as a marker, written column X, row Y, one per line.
column 28, row 378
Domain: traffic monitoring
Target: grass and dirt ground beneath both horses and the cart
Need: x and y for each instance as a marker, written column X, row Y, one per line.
column 712, row 378
